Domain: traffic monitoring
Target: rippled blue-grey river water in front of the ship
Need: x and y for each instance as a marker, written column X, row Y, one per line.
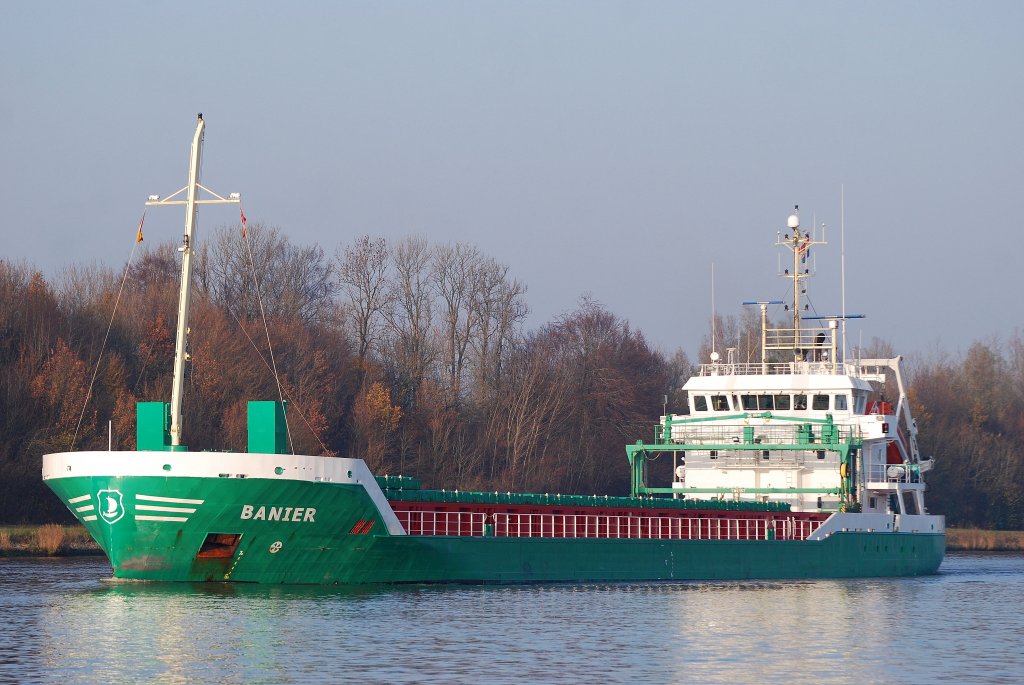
column 61, row 623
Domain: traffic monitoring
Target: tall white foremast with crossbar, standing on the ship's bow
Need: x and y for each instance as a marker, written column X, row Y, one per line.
column 192, row 203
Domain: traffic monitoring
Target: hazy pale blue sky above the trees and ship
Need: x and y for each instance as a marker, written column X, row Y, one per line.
column 616, row 149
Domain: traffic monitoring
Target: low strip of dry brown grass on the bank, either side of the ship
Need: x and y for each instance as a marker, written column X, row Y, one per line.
column 52, row 540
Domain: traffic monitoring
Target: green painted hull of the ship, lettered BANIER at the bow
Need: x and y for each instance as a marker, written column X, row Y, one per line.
column 329, row 533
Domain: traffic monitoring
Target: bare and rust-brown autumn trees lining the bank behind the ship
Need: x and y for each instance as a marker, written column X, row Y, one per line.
column 416, row 358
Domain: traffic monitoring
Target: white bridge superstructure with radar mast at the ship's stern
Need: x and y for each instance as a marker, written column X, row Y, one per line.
column 800, row 426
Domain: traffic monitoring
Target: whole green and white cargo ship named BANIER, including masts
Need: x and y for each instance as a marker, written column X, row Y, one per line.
column 792, row 466
